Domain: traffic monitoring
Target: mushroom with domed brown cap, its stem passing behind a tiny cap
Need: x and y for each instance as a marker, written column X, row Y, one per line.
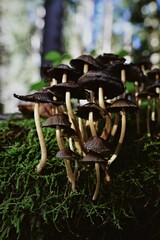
column 60, row 121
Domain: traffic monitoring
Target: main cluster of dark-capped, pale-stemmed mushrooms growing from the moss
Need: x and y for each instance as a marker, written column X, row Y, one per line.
column 89, row 103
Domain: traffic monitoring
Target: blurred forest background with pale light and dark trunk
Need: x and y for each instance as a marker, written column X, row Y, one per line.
column 31, row 28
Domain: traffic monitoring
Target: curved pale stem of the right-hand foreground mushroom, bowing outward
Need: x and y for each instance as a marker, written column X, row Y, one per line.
column 121, row 138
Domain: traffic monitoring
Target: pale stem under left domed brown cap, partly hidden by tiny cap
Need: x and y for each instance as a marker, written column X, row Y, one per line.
column 69, row 171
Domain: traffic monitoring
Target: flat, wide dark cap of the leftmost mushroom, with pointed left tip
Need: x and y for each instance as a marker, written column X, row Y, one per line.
column 43, row 96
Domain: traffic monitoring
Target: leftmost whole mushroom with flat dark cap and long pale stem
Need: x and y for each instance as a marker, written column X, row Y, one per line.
column 39, row 97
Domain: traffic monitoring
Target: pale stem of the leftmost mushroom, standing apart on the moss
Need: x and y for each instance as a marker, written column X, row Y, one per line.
column 43, row 159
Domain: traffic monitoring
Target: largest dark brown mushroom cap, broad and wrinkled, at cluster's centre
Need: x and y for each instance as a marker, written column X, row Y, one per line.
column 94, row 79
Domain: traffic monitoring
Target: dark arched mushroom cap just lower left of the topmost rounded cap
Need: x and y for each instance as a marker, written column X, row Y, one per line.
column 57, row 73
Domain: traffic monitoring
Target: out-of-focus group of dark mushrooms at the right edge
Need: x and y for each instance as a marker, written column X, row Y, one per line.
column 149, row 93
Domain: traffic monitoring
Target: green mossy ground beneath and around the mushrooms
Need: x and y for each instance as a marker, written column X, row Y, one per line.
column 42, row 206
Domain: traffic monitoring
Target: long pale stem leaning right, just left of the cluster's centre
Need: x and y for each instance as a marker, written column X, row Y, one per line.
column 73, row 120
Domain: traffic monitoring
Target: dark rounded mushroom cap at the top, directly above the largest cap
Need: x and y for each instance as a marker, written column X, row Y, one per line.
column 78, row 63
